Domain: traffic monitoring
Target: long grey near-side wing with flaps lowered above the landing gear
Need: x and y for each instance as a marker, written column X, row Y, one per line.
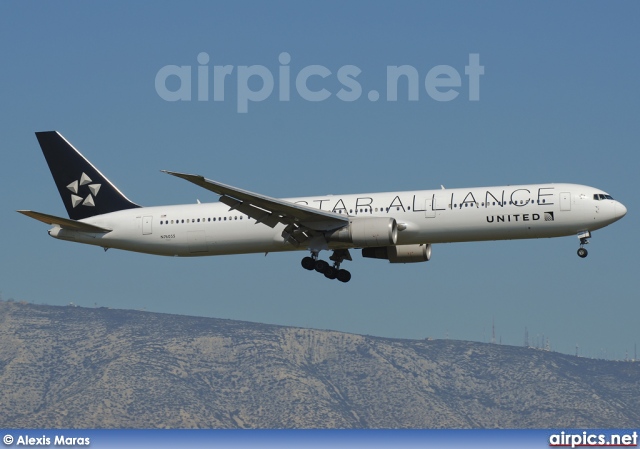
column 270, row 211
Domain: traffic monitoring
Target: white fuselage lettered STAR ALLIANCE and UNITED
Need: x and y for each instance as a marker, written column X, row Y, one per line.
column 426, row 216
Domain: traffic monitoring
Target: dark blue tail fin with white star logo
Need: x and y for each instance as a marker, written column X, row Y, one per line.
column 84, row 190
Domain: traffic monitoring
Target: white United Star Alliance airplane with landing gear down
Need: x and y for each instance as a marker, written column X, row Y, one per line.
column 396, row 226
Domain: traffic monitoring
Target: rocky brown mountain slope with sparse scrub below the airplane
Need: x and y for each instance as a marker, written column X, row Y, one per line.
column 73, row 367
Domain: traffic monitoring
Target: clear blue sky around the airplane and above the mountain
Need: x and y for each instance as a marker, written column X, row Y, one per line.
column 558, row 103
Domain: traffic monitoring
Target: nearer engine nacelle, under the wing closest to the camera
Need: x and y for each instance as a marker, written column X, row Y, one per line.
column 366, row 232
